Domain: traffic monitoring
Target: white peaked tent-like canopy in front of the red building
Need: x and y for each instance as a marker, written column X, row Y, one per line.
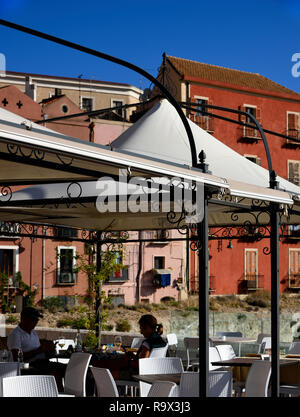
column 160, row 134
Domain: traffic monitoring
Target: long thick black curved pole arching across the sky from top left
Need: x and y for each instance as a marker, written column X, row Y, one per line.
column 133, row 67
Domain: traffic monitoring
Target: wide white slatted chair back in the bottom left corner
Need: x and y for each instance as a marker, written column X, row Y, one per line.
column 30, row 386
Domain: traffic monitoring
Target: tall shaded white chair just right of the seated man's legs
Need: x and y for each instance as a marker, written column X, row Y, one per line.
column 75, row 375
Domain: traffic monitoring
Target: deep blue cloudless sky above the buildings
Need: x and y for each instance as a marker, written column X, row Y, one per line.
column 257, row 36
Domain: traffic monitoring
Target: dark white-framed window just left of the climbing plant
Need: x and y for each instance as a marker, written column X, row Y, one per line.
column 65, row 265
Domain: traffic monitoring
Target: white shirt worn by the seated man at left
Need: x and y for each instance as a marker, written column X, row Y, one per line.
column 19, row 339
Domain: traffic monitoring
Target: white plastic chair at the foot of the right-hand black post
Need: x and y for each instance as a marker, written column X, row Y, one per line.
column 258, row 378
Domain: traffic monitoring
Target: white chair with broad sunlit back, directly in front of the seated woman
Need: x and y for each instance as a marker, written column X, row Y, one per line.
column 150, row 366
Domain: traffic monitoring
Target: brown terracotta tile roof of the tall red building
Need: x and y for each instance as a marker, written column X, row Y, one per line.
column 227, row 75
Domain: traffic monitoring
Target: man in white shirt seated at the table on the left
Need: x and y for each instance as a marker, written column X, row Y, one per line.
column 35, row 352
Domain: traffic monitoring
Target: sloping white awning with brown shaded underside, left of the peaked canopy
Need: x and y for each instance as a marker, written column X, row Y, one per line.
column 31, row 153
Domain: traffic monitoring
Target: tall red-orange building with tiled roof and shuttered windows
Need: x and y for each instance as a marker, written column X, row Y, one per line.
column 241, row 266
